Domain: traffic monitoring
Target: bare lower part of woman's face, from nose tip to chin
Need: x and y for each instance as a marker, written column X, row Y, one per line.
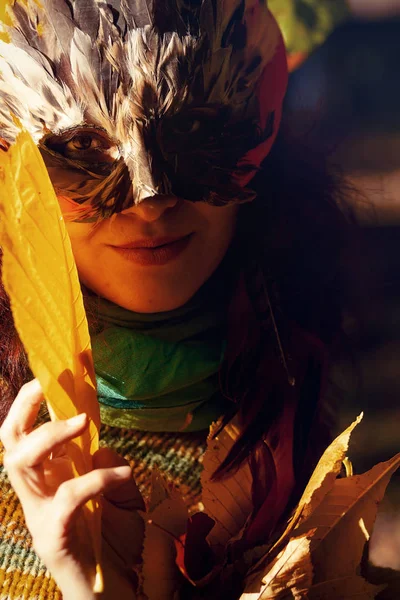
column 153, row 257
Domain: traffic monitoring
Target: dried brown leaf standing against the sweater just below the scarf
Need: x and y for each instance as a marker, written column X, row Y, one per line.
column 227, row 501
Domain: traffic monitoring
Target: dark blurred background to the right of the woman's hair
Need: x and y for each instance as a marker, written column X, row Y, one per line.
column 346, row 97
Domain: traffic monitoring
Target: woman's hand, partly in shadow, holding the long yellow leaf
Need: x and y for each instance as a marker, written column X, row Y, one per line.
column 52, row 499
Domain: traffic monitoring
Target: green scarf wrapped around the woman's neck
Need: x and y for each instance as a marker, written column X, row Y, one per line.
column 159, row 372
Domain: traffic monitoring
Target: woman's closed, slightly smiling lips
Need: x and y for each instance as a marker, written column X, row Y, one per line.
column 156, row 251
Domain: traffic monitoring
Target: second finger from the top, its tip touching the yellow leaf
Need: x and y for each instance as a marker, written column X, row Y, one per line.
column 33, row 449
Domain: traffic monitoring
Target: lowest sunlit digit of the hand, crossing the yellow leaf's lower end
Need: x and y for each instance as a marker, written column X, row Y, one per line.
column 74, row 493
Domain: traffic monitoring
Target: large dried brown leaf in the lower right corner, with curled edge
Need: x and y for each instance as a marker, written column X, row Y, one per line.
column 330, row 543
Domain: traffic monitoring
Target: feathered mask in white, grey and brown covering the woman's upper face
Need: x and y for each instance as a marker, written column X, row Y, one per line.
column 128, row 99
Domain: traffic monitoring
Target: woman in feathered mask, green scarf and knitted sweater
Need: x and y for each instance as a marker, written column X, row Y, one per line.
column 209, row 260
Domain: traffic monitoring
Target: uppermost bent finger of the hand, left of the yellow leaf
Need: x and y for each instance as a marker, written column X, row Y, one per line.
column 22, row 414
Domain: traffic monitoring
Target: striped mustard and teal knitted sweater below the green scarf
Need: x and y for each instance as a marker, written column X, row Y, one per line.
column 23, row 576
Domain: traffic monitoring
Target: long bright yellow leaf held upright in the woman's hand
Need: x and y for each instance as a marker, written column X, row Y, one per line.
column 41, row 280
